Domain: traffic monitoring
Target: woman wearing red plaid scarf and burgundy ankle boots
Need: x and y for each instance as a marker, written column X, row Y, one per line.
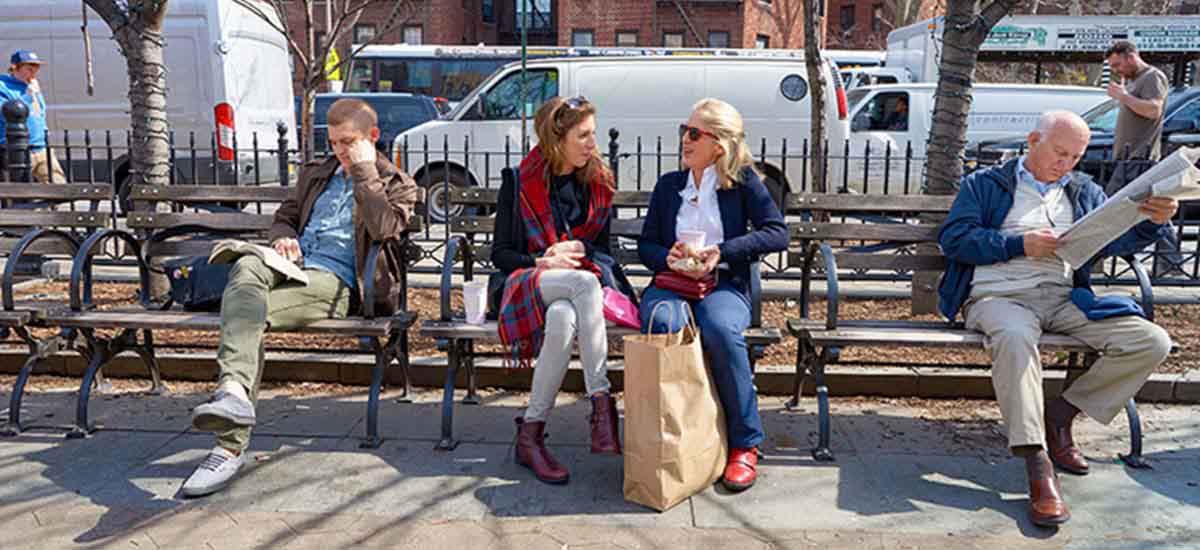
column 556, row 261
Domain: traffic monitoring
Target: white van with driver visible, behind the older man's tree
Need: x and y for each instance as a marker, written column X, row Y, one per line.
column 880, row 121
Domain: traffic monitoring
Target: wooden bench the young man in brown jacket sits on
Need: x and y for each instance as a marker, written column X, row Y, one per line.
column 213, row 213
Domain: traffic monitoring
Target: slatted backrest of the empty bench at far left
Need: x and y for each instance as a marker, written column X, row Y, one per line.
column 52, row 206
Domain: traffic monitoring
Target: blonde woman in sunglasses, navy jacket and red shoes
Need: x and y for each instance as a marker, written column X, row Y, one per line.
column 721, row 196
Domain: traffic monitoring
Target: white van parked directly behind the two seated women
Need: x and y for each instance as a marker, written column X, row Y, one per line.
column 645, row 99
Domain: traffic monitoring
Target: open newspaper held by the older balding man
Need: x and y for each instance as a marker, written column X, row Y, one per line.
column 1173, row 177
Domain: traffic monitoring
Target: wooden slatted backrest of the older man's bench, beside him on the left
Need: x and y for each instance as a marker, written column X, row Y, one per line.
column 871, row 229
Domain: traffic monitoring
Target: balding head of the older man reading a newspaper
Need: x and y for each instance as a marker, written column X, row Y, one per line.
column 1057, row 146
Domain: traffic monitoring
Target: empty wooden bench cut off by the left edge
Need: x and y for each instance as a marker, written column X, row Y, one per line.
column 37, row 220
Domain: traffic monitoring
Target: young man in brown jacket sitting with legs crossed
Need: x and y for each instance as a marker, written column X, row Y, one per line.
column 341, row 206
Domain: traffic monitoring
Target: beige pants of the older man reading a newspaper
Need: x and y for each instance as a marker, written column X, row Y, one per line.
column 1131, row 348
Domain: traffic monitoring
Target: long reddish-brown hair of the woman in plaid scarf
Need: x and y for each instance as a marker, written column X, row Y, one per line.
column 554, row 121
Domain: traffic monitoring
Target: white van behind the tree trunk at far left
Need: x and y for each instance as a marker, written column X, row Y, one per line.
column 220, row 59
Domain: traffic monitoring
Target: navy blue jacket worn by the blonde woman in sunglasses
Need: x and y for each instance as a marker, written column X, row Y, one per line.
column 746, row 205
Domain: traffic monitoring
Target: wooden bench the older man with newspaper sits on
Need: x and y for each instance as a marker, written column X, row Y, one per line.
column 880, row 232
